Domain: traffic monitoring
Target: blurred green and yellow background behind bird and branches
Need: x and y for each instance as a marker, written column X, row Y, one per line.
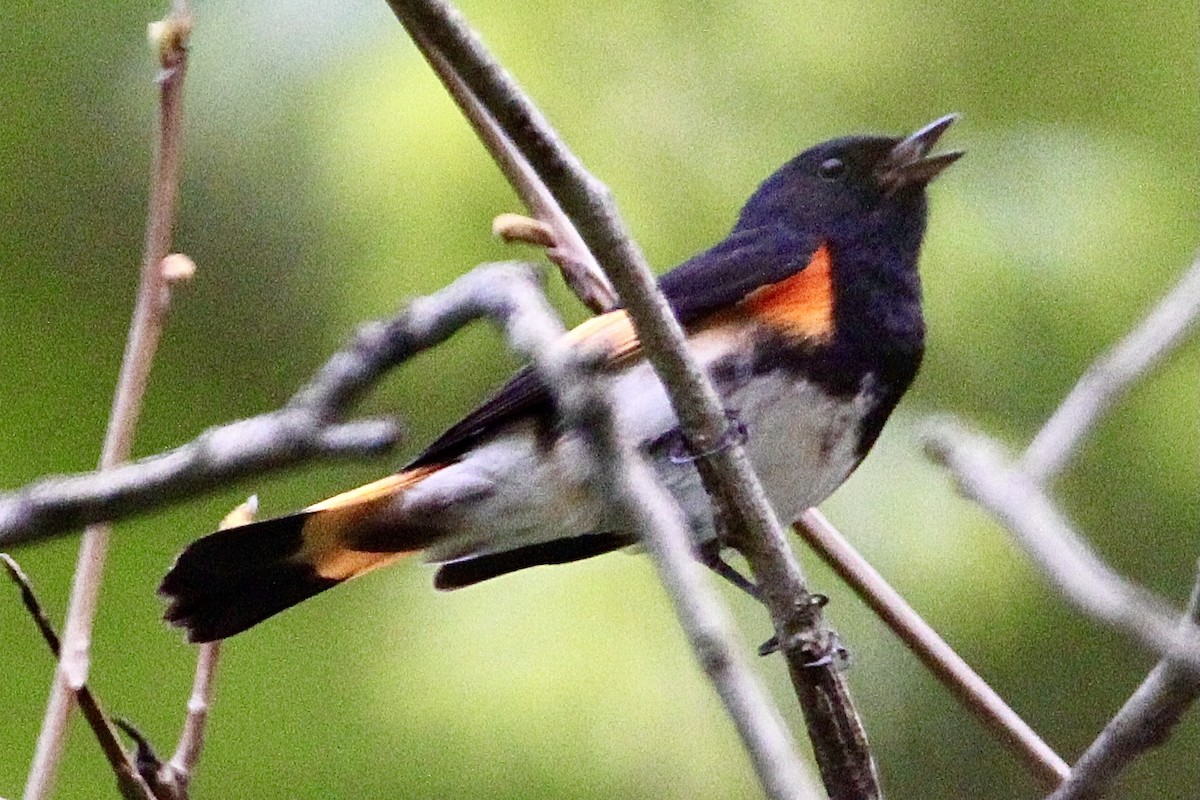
column 328, row 179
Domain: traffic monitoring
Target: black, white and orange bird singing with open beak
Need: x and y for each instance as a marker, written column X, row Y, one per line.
column 807, row 318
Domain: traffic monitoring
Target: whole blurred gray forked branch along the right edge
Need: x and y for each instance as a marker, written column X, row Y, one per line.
column 1015, row 495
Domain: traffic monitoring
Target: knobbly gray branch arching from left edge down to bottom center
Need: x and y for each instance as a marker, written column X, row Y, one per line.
column 509, row 296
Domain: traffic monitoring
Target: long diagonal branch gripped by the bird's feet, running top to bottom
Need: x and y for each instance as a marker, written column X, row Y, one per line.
column 838, row 737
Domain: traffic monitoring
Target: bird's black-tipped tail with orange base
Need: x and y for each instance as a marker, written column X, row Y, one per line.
column 236, row 579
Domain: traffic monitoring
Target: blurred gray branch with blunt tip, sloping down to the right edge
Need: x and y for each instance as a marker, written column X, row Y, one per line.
column 992, row 480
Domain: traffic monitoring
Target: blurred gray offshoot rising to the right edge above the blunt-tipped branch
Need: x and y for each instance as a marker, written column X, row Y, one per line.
column 1165, row 329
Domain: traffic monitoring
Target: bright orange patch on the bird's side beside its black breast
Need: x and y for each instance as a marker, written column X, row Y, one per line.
column 801, row 305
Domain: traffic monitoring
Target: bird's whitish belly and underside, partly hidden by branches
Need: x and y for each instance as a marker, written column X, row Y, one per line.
column 514, row 491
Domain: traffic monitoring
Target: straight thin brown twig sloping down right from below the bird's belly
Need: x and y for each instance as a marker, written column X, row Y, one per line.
column 932, row 649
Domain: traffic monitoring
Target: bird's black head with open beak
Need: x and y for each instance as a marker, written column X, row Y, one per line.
column 854, row 189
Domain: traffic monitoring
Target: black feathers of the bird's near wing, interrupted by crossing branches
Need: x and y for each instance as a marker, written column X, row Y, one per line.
column 715, row 280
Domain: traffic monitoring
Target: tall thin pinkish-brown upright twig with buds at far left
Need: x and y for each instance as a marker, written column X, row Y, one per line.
column 149, row 316
